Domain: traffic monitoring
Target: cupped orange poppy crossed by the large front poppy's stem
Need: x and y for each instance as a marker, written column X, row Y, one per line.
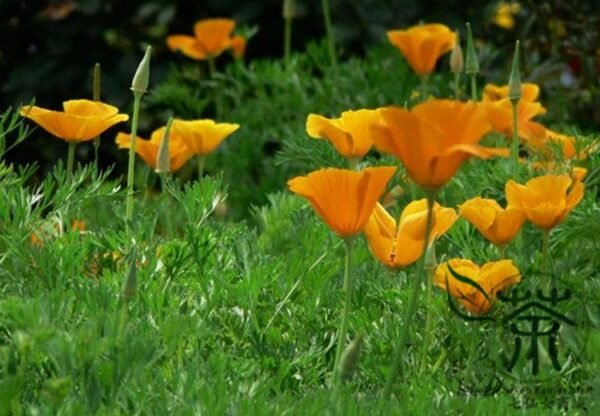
column 398, row 245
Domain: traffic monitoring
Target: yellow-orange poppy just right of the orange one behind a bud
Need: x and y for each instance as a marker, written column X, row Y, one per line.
column 201, row 137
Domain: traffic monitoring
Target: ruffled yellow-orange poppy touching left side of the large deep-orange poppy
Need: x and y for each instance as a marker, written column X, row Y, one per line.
column 350, row 134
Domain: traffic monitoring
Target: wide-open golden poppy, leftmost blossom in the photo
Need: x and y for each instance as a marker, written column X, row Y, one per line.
column 80, row 121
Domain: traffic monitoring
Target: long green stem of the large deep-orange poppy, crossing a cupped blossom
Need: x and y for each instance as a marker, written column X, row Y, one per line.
column 412, row 305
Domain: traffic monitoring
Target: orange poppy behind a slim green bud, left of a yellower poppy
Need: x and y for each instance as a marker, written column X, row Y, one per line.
column 179, row 153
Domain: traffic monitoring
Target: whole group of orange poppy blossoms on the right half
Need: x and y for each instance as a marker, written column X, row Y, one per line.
column 432, row 140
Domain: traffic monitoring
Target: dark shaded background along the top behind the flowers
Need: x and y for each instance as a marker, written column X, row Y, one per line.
column 49, row 47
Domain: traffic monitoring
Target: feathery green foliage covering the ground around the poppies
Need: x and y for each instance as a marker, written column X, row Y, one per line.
column 238, row 313
